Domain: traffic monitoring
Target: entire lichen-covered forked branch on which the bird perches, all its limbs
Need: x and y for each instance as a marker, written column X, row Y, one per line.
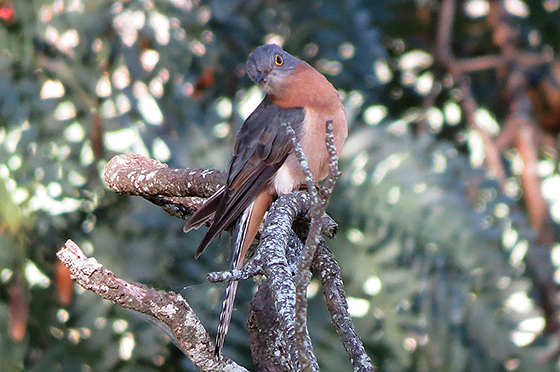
column 278, row 333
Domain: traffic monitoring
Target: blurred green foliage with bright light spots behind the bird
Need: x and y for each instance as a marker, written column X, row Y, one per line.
column 432, row 253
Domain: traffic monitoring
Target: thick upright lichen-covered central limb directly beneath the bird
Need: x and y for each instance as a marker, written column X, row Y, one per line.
column 272, row 321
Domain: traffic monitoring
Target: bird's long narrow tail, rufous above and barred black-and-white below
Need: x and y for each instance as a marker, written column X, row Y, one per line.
column 243, row 234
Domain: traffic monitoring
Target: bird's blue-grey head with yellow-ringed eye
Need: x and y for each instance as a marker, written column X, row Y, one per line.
column 268, row 65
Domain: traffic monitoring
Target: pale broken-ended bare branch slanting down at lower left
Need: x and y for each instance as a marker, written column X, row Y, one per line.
column 170, row 308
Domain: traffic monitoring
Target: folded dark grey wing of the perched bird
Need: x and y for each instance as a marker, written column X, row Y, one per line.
column 261, row 148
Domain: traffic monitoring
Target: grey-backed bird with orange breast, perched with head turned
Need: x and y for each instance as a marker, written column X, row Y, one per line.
column 264, row 165
